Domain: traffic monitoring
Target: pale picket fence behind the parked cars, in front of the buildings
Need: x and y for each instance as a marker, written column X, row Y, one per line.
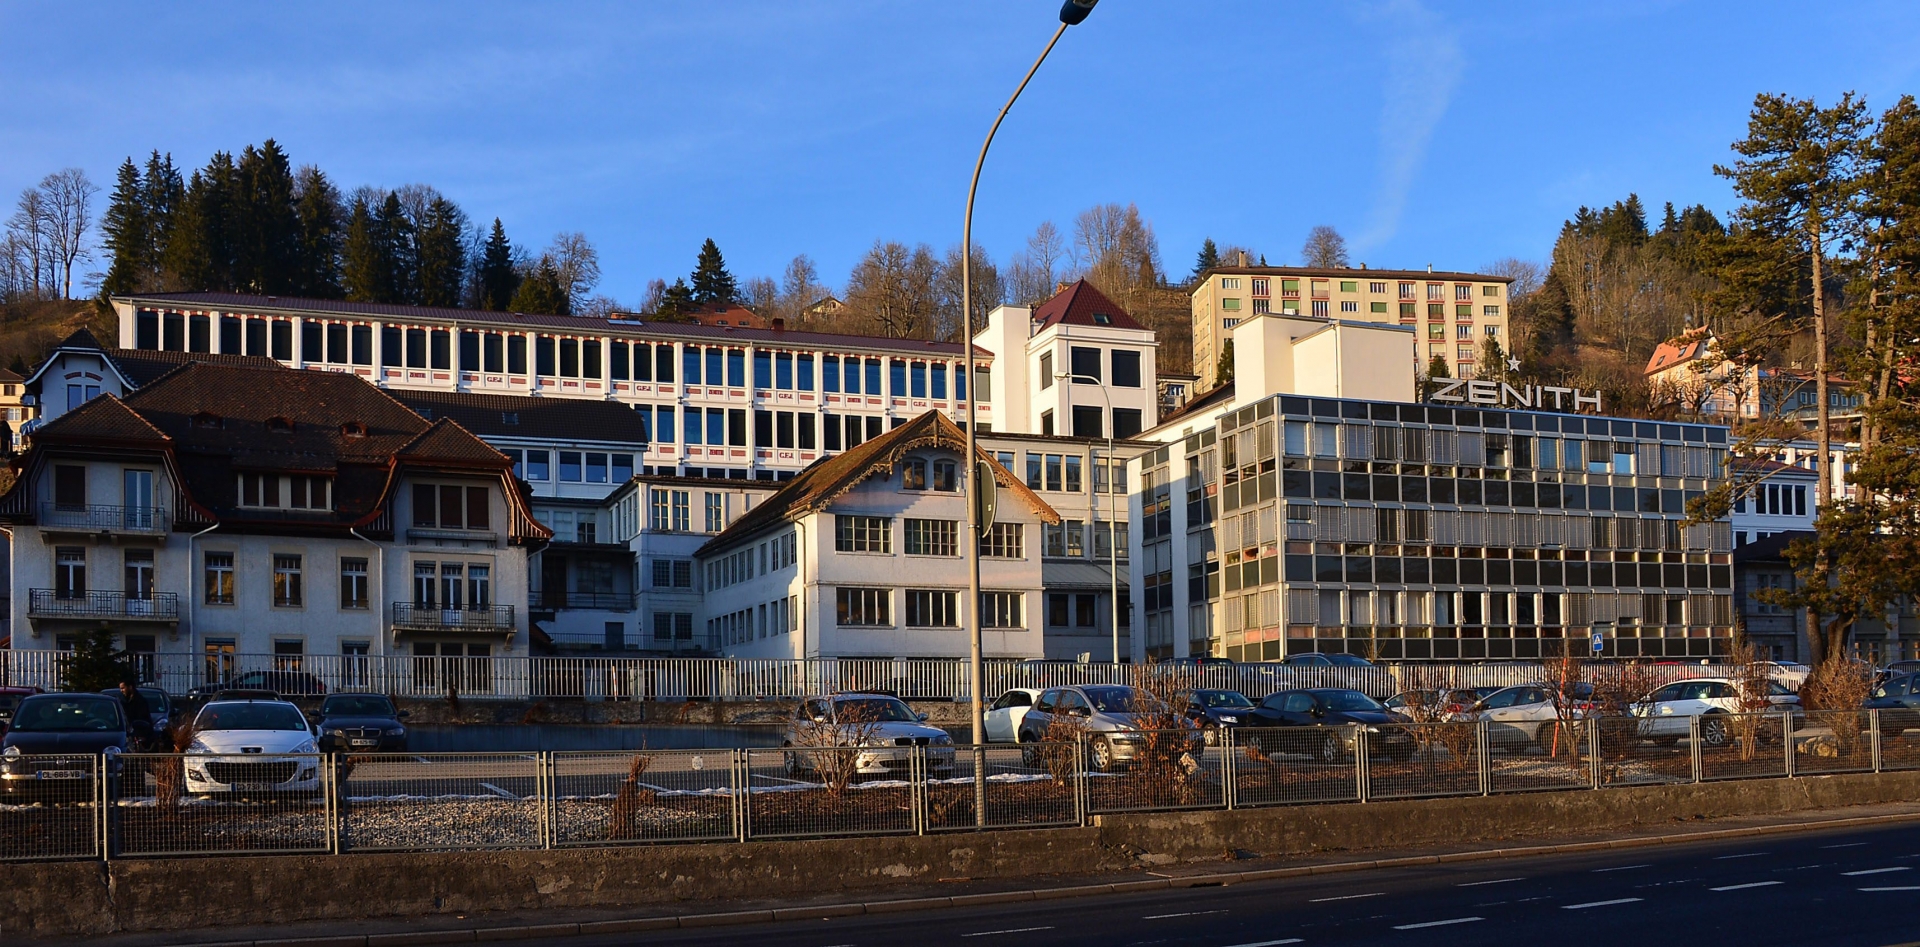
column 721, row 679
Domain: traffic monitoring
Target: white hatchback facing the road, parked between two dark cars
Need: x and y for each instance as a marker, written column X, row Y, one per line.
column 252, row 748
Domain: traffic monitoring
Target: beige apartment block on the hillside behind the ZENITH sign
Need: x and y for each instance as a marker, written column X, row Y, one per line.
column 1452, row 314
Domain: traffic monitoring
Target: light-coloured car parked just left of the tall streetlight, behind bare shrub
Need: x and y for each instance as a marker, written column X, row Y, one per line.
column 886, row 731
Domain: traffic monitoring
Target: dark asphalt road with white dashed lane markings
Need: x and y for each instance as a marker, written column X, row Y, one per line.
column 1819, row 888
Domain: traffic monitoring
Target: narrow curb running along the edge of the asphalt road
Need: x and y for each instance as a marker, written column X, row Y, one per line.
column 1034, row 894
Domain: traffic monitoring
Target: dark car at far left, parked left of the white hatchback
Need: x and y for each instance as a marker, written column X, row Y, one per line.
column 49, row 752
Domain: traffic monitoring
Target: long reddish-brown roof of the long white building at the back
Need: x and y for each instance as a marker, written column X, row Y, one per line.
column 623, row 328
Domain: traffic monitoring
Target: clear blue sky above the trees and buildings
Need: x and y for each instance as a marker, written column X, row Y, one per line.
column 1426, row 132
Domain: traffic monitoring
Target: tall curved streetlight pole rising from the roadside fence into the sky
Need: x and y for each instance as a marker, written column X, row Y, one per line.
column 1070, row 14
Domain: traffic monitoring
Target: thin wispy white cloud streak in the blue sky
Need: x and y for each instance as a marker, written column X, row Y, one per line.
column 1424, row 68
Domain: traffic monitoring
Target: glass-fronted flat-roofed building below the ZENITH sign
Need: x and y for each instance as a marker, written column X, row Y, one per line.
column 1416, row 531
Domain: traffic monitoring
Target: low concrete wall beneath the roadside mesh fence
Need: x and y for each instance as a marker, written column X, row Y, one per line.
column 47, row 900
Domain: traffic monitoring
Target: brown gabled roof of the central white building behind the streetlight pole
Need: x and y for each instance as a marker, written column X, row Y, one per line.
column 825, row 483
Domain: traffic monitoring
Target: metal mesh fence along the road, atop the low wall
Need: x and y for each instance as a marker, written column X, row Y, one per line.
column 166, row 804
